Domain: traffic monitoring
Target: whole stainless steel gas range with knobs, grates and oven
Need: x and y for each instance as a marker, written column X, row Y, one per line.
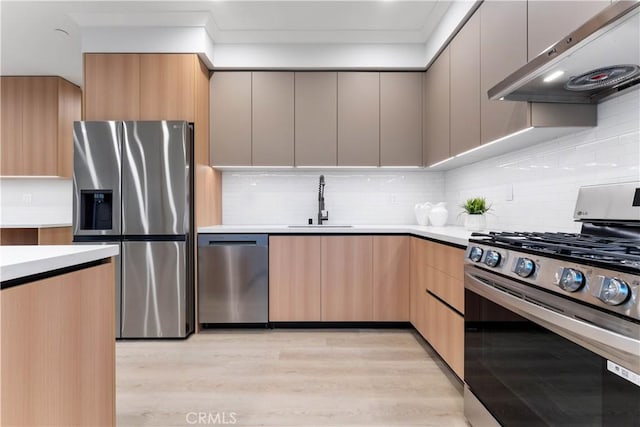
column 552, row 319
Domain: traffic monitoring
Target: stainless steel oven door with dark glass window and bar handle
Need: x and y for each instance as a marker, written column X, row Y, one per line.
column 535, row 359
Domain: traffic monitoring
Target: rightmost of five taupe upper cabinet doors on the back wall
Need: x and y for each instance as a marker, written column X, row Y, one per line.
column 401, row 119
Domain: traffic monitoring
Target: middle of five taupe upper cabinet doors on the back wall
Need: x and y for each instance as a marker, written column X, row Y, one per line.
column 316, row 121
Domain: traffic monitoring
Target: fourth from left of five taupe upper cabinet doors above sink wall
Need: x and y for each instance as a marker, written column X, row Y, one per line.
column 358, row 119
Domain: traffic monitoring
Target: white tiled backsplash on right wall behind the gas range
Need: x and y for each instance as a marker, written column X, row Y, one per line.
column 544, row 179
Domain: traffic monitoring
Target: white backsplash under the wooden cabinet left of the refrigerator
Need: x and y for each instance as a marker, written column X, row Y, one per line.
column 32, row 201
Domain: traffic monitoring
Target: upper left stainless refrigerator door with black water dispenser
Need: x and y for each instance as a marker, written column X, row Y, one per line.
column 97, row 162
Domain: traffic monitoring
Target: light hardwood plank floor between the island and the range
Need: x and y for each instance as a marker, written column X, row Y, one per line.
column 285, row 377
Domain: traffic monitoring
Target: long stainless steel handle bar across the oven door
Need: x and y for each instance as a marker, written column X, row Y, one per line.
column 610, row 345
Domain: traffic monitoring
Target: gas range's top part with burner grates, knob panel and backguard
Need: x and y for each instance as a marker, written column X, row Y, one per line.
column 600, row 266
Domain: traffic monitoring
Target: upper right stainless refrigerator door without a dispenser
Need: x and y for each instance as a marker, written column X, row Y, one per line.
column 155, row 178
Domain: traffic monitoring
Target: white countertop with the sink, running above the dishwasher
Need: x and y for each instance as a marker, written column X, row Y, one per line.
column 450, row 234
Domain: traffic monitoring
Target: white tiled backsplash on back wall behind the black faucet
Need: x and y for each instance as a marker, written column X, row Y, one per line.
column 351, row 197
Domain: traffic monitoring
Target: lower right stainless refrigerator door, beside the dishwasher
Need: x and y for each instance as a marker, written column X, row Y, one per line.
column 155, row 300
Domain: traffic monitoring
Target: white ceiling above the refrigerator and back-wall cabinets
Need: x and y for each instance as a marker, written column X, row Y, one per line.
column 31, row 45
